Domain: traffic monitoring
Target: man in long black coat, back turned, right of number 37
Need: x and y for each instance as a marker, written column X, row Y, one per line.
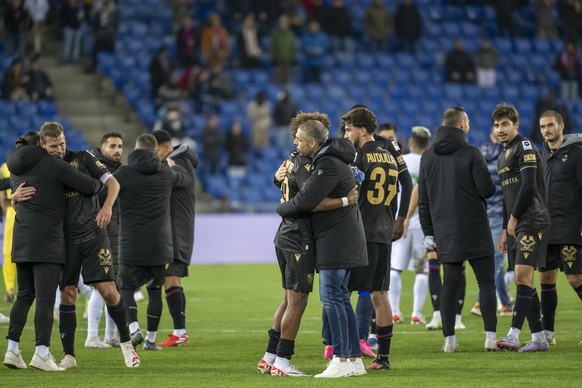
column 453, row 184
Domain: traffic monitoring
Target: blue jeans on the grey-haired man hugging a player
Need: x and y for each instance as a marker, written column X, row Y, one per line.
column 334, row 295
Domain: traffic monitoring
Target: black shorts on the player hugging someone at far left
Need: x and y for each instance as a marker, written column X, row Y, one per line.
column 92, row 258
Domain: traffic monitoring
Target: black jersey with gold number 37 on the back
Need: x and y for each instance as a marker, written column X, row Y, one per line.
column 377, row 191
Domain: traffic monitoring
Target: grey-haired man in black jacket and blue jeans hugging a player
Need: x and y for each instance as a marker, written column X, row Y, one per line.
column 340, row 242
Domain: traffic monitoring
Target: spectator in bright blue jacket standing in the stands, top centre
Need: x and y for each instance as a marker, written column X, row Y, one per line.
column 315, row 46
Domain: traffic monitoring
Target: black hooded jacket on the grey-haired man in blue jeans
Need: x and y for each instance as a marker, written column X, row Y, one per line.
column 340, row 241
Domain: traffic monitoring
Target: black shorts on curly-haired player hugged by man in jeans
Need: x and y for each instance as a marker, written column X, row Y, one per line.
column 297, row 269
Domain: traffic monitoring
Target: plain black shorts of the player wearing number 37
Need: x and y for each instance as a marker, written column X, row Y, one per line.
column 376, row 275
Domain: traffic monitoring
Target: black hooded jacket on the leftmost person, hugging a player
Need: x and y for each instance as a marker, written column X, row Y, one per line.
column 39, row 226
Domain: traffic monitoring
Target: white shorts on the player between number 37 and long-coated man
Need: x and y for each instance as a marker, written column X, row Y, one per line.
column 409, row 253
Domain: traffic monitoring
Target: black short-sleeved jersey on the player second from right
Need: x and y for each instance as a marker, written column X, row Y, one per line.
column 520, row 154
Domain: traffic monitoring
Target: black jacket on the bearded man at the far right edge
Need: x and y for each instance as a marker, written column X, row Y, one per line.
column 563, row 180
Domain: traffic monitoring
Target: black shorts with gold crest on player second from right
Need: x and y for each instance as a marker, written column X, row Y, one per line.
column 529, row 248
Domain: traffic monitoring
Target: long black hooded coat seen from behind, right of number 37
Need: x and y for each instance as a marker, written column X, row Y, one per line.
column 452, row 186
